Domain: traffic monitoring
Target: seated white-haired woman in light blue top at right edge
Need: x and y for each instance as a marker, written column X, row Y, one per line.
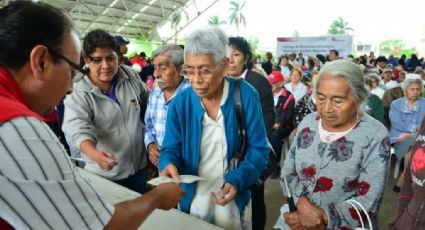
column 406, row 114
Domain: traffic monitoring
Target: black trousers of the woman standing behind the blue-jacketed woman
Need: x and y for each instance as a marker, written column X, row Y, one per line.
column 258, row 208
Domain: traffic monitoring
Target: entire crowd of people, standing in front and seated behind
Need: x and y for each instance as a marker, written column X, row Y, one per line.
column 181, row 113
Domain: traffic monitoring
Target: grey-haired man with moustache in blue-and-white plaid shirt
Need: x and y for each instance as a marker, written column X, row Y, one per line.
column 168, row 64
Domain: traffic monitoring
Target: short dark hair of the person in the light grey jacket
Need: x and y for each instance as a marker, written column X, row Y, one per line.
column 98, row 39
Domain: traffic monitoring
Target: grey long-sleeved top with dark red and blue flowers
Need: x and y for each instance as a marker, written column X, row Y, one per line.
column 351, row 167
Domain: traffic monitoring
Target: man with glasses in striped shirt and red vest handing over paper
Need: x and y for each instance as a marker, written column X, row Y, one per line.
column 39, row 187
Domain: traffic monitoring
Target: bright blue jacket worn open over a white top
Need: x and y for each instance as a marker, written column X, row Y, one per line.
column 182, row 141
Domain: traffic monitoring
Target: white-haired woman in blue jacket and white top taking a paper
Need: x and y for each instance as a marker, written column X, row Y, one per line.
column 201, row 135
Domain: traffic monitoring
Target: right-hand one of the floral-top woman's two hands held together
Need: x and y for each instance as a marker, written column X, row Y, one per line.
column 311, row 216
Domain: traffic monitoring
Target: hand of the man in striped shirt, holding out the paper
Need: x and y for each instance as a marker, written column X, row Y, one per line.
column 170, row 194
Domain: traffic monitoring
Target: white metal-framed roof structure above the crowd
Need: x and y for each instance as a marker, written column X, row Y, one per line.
column 130, row 18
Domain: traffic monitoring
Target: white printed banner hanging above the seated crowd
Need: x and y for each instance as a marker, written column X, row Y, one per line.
column 315, row 45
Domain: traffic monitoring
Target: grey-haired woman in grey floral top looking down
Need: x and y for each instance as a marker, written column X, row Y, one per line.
column 339, row 153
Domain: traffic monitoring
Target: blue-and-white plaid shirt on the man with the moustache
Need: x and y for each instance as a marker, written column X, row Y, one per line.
column 156, row 114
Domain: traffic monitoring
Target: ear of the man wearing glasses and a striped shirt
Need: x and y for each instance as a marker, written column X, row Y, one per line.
column 40, row 59
